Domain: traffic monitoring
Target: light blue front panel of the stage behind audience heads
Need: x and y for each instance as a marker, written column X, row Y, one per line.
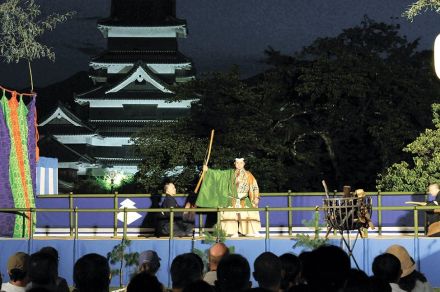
column 425, row 251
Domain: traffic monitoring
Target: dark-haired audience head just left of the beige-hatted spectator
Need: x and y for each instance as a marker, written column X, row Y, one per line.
column 387, row 267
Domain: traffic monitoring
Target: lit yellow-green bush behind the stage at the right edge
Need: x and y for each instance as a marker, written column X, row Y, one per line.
column 425, row 165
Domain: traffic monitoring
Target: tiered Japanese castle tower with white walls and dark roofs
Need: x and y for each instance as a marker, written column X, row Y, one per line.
column 133, row 79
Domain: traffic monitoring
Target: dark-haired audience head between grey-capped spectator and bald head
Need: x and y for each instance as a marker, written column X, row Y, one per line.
column 185, row 269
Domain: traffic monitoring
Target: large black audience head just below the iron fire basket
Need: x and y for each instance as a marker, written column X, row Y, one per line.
column 326, row 268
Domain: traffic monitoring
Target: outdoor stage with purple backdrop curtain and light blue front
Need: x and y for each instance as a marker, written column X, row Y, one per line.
column 96, row 231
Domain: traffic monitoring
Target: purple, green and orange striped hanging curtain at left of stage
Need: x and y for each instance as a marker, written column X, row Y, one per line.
column 17, row 126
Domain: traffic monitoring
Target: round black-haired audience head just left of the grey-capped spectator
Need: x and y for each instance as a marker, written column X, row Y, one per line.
column 91, row 273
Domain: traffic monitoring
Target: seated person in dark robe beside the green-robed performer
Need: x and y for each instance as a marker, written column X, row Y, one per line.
column 181, row 227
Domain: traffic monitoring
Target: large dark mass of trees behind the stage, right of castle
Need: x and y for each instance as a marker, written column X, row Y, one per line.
column 341, row 110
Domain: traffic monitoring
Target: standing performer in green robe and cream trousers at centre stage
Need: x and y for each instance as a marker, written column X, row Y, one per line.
column 232, row 189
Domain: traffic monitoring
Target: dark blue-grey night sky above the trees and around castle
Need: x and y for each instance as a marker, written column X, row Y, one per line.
column 221, row 32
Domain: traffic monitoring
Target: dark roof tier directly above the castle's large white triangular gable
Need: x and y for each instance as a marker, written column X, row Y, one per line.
column 148, row 57
